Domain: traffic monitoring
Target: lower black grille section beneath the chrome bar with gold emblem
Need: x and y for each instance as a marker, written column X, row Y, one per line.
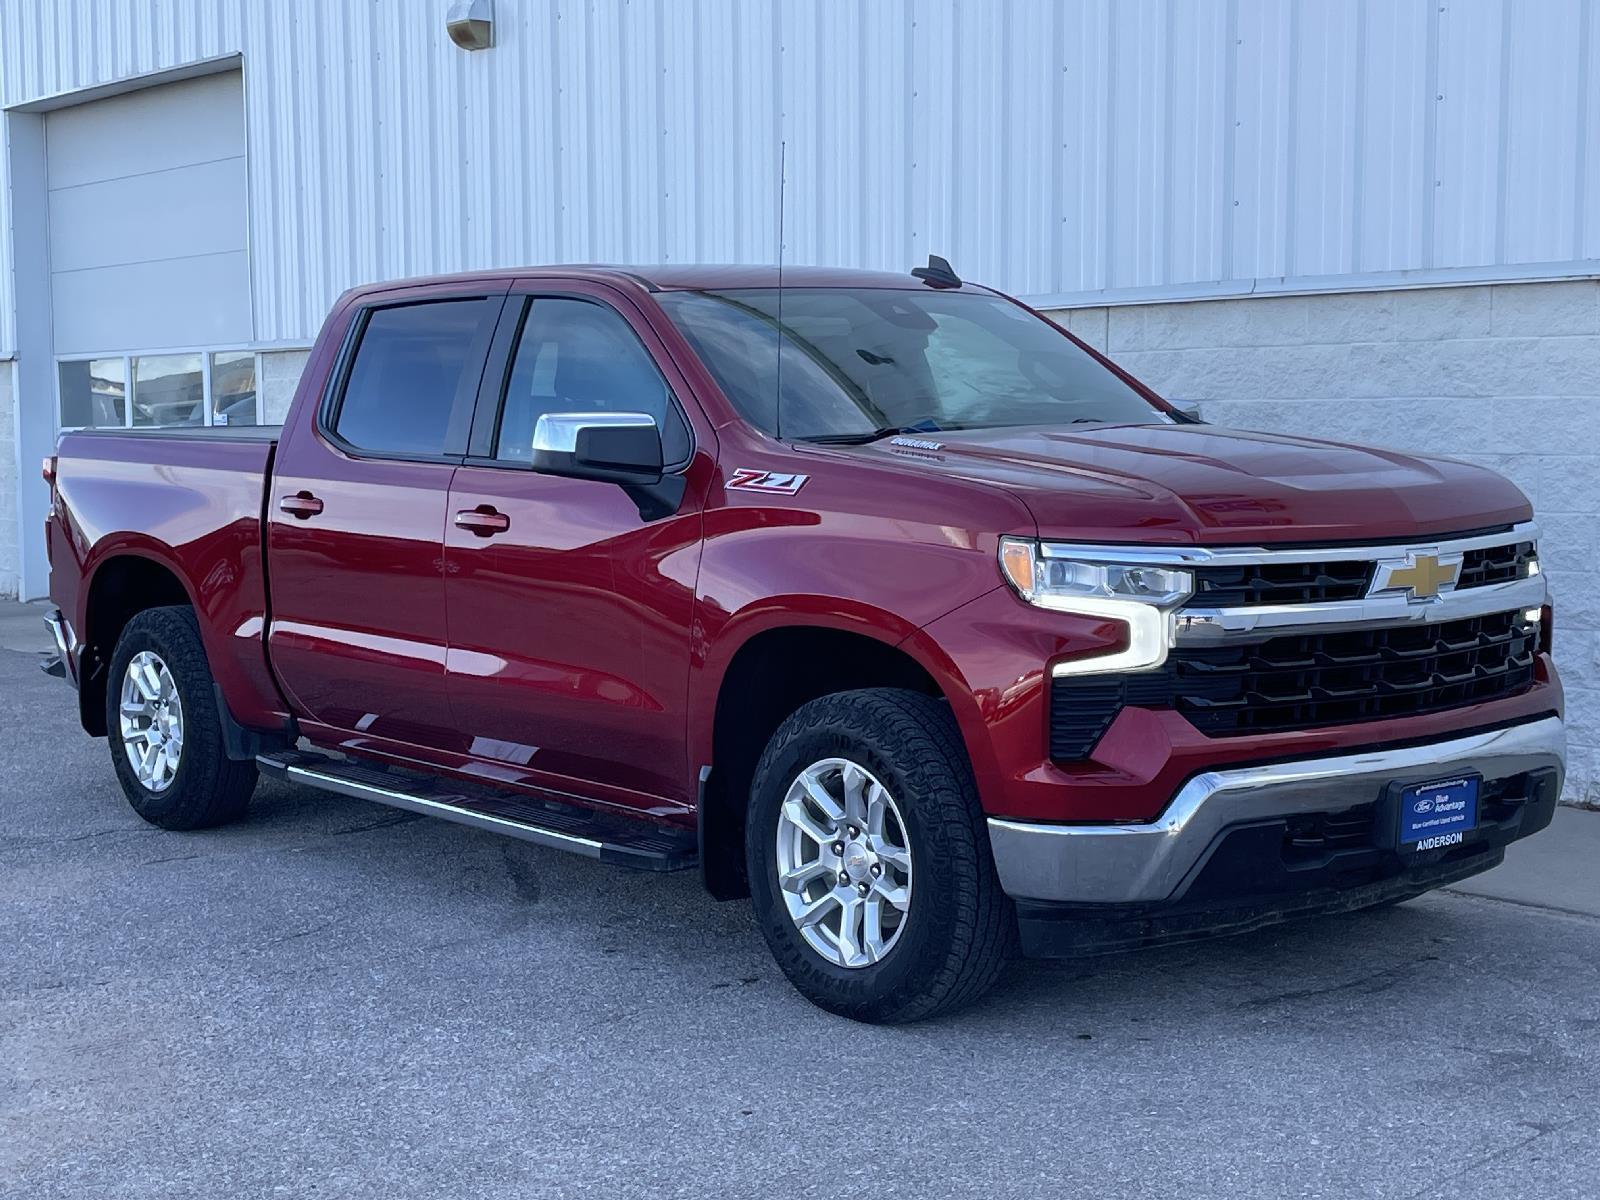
column 1306, row 681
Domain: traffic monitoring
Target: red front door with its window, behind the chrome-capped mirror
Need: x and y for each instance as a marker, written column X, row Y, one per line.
column 570, row 612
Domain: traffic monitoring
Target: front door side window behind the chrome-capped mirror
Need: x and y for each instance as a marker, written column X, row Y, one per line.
column 582, row 358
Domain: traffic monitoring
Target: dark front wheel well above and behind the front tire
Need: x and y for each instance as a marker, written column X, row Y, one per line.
column 767, row 679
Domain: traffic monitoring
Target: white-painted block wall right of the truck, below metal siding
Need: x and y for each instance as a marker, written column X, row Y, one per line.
column 1500, row 375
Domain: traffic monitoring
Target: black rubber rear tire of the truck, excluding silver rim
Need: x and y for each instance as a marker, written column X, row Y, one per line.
column 207, row 788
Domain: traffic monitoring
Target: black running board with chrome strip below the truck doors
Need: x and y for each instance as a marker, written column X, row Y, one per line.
column 551, row 823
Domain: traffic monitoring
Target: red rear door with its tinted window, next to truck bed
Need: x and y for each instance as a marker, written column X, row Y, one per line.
column 358, row 518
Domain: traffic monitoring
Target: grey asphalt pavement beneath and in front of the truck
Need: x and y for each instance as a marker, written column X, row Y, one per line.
column 337, row 999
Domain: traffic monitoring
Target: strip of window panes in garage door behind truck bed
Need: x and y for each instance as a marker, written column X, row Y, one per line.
column 148, row 391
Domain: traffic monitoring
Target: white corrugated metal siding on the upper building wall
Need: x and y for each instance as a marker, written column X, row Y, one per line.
column 1055, row 150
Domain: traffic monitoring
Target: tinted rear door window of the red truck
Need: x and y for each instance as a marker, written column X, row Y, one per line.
column 417, row 366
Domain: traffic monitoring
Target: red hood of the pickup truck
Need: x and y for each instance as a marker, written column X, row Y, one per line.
column 1209, row 486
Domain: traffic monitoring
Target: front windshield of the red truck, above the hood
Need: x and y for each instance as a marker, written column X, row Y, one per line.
column 863, row 362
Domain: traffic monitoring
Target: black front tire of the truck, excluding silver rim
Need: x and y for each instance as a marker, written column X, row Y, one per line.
column 961, row 927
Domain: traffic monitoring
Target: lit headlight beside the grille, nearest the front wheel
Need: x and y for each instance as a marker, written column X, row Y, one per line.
column 1140, row 596
